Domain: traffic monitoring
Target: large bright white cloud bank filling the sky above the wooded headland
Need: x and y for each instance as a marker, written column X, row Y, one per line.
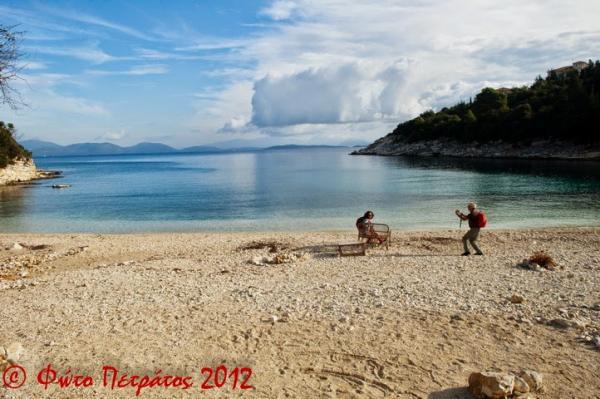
column 351, row 63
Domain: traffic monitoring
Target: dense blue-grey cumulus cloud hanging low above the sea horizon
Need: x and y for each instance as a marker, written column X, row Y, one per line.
column 354, row 92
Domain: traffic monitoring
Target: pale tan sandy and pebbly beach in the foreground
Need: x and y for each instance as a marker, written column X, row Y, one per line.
column 409, row 322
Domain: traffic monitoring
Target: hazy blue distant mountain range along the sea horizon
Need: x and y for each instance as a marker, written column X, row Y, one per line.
column 41, row 148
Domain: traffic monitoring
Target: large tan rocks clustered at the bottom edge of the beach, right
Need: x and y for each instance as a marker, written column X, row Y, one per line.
column 496, row 385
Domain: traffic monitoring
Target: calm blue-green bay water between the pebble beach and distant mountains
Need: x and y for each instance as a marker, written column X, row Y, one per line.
column 300, row 189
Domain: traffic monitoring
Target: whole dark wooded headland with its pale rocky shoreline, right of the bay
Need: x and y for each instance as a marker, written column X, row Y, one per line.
column 556, row 117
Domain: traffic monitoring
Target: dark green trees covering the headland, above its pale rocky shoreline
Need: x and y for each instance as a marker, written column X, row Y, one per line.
column 560, row 107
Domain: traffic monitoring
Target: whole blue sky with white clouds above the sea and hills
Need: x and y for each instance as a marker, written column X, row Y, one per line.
column 272, row 72
